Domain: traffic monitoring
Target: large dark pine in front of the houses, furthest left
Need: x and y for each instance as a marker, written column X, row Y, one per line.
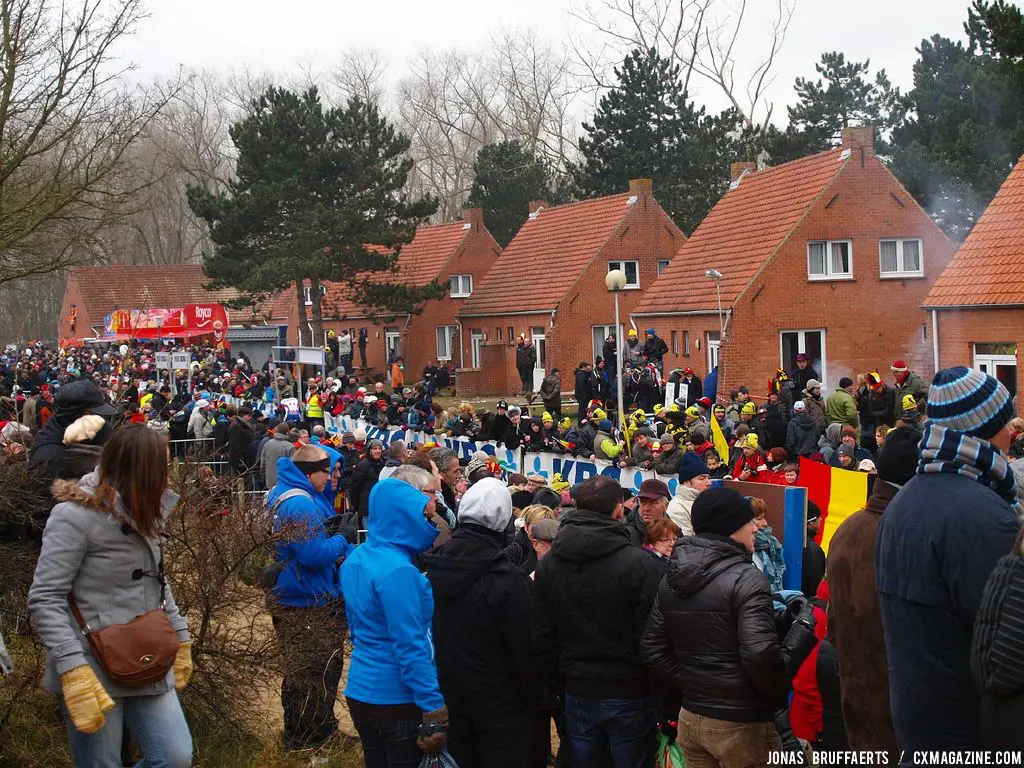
column 314, row 190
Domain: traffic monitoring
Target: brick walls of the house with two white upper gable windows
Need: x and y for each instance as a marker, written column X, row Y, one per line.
column 869, row 322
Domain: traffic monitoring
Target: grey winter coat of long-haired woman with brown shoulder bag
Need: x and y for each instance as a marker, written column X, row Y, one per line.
column 88, row 553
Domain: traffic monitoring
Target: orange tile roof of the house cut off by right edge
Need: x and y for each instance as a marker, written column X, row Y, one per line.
column 987, row 270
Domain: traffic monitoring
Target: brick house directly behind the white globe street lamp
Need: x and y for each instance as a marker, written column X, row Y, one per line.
column 549, row 285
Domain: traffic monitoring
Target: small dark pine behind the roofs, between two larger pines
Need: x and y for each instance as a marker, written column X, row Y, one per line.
column 506, row 179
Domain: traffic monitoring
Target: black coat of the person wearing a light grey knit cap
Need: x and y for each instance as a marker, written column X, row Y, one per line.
column 482, row 625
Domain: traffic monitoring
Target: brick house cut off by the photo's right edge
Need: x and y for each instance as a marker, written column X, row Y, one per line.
column 977, row 305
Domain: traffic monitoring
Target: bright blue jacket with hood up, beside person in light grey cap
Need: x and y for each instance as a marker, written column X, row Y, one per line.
column 391, row 606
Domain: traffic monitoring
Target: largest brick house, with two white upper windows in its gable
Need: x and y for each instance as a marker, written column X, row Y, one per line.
column 827, row 255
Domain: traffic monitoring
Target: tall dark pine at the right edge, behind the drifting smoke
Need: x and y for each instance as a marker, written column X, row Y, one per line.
column 967, row 127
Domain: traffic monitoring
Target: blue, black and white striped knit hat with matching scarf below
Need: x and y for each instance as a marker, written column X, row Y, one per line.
column 969, row 402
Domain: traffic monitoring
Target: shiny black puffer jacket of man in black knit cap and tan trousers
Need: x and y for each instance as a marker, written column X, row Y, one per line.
column 712, row 632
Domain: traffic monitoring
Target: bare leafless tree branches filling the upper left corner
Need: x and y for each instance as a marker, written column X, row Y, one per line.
column 67, row 121
